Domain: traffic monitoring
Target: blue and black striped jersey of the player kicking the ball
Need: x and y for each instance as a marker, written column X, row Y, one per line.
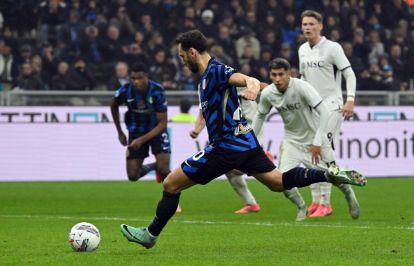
column 220, row 105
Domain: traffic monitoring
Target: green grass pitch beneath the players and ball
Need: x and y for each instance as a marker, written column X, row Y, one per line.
column 35, row 220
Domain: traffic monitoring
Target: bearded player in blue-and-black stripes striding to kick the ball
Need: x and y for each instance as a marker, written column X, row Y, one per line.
column 233, row 144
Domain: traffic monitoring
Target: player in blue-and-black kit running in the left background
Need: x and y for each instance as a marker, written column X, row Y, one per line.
column 146, row 121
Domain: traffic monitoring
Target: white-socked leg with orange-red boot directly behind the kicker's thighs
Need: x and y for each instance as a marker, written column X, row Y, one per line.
column 240, row 186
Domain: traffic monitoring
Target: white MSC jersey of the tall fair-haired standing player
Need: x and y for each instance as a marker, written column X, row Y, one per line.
column 321, row 66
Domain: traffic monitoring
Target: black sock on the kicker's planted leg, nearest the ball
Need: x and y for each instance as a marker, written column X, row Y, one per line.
column 165, row 210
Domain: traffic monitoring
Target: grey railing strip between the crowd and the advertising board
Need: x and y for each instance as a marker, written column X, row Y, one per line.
column 99, row 98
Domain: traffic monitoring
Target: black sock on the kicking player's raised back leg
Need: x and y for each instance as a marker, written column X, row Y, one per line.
column 302, row 177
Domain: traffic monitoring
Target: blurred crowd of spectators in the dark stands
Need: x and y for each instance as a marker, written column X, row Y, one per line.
column 88, row 45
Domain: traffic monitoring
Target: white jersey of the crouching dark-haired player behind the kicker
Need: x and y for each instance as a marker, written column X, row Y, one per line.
column 295, row 107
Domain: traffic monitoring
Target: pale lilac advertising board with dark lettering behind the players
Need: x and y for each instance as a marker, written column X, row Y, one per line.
column 80, row 143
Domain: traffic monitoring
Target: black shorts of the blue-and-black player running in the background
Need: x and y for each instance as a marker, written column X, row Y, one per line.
column 159, row 144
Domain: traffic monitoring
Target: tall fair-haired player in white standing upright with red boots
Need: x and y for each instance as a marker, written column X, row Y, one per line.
column 322, row 63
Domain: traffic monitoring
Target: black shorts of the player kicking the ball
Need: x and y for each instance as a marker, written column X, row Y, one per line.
column 213, row 162
